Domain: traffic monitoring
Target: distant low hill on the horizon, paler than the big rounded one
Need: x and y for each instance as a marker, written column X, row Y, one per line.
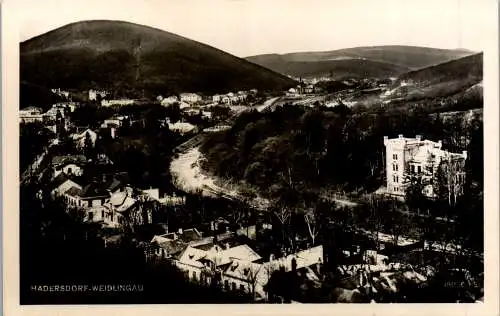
column 398, row 57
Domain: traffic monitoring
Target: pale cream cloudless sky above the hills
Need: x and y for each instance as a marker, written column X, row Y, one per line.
column 252, row 27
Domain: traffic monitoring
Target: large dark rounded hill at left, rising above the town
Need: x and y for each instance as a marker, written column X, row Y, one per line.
column 130, row 58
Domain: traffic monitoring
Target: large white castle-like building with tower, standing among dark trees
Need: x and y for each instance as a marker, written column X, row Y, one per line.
column 421, row 158
